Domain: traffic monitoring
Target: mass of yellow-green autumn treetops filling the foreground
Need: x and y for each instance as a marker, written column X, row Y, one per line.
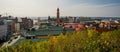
column 80, row 41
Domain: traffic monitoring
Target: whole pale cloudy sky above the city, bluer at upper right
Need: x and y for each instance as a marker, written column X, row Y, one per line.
column 91, row 8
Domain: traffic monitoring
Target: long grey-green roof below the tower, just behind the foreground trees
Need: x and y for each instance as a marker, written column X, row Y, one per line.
column 52, row 30
